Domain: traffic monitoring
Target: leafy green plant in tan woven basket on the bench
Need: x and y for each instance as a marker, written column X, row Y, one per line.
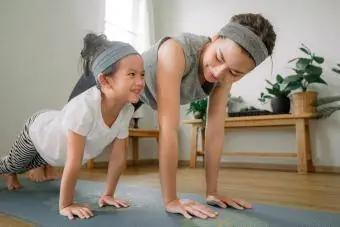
column 307, row 71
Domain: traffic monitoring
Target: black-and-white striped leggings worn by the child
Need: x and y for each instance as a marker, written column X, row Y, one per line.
column 23, row 155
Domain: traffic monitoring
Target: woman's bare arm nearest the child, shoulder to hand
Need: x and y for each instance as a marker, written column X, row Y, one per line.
column 170, row 69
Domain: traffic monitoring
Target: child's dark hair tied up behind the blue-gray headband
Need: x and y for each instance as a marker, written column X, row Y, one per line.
column 94, row 45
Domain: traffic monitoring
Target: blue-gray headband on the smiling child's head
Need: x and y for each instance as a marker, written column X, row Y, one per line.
column 117, row 51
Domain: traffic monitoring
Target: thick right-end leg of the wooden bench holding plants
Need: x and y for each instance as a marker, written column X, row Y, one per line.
column 303, row 148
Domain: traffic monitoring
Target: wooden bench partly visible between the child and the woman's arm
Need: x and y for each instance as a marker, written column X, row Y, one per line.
column 134, row 135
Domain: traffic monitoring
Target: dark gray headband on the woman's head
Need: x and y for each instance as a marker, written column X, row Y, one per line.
column 247, row 39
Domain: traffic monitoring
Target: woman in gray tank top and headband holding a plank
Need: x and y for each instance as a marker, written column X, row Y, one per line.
column 183, row 69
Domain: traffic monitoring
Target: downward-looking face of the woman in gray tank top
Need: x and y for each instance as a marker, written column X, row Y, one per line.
column 225, row 60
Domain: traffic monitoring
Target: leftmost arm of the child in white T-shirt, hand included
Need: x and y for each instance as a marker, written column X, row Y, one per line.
column 75, row 151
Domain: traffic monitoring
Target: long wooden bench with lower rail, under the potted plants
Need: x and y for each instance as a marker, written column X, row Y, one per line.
column 300, row 122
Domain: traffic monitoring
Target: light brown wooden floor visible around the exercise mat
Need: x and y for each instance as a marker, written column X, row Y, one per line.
column 313, row 191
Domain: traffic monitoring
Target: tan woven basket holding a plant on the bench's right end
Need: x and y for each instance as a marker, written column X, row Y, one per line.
column 303, row 102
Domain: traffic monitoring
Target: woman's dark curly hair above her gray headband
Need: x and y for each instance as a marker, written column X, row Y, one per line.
column 260, row 26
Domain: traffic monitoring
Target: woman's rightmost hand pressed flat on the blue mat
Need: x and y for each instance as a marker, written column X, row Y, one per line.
column 224, row 202
